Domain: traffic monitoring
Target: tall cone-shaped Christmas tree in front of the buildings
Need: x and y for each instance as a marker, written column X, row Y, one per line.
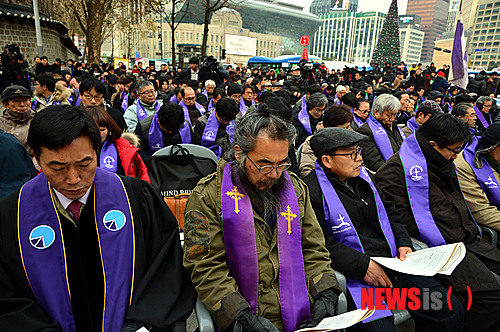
column 387, row 49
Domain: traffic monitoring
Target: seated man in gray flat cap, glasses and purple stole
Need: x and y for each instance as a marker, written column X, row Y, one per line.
column 359, row 223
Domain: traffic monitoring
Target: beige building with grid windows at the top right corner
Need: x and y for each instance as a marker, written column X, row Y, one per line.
column 484, row 48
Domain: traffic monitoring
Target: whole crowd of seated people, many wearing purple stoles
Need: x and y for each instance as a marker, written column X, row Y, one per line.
column 319, row 170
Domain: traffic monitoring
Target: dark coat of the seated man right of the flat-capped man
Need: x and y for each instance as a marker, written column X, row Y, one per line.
column 452, row 218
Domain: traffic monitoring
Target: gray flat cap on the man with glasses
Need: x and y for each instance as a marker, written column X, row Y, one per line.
column 328, row 139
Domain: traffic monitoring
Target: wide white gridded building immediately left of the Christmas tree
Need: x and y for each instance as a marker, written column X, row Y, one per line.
column 349, row 37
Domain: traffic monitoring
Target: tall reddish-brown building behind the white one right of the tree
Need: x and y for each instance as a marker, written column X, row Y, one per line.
column 434, row 14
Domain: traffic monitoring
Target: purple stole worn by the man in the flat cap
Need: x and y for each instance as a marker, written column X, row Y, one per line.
column 341, row 229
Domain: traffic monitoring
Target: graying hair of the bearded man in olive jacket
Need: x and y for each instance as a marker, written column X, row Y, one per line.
column 254, row 124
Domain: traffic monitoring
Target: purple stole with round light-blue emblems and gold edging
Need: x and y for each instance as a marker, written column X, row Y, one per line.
column 43, row 253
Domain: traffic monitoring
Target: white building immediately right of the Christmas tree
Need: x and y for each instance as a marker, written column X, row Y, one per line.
column 411, row 38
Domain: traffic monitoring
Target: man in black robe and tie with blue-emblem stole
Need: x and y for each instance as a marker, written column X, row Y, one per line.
column 65, row 140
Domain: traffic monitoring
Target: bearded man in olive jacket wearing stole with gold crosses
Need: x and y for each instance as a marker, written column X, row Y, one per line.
column 253, row 246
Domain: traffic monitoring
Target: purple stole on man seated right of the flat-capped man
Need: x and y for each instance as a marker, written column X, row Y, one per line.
column 417, row 184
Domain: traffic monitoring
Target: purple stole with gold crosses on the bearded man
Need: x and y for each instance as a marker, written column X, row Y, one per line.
column 241, row 249
